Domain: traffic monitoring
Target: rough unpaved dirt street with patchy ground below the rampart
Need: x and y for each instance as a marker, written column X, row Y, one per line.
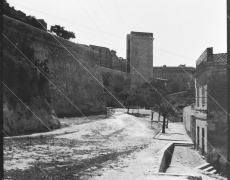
column 87, row 149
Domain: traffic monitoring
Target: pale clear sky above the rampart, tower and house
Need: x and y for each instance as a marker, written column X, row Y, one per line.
column 182, row 29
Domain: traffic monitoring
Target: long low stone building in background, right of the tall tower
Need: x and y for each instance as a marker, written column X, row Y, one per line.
column 176, row 74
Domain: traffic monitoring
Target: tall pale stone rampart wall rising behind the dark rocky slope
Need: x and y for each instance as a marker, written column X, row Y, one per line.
column 65, row 71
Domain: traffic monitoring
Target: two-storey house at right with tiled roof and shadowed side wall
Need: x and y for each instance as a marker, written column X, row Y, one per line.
column 208, row 126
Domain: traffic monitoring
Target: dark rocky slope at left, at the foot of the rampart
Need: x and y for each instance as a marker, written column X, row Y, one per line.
column 26, row 96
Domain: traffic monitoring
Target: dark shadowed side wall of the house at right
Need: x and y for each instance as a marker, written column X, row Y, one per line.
column 217, row 119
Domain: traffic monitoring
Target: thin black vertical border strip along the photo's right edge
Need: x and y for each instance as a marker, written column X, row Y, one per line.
column 228, row 86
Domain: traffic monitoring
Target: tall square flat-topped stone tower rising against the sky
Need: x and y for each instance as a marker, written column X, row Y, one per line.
column 140, row 56
